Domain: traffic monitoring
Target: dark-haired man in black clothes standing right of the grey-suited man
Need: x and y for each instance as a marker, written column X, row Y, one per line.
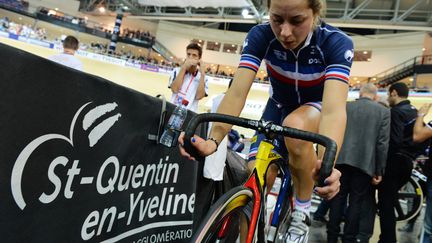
column 399, row 159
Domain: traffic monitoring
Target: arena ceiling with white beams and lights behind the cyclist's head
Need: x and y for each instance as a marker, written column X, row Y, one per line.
column 410, row 15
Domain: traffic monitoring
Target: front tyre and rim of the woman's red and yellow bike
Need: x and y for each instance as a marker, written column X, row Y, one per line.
column 231, row 204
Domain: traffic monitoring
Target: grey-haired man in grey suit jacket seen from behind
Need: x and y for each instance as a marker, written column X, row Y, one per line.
column 361, row 160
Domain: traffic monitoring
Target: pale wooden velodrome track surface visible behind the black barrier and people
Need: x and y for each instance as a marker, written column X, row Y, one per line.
column 152, row 83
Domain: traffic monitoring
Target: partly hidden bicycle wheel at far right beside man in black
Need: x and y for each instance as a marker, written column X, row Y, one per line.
column 414, row 196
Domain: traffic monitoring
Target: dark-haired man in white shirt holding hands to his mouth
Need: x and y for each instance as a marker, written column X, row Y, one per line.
column 189, row 81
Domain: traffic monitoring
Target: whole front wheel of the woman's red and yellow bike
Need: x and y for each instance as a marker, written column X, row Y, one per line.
column 223, row 220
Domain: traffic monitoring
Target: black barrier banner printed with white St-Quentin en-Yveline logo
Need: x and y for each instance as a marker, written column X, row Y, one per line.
column 76, row 164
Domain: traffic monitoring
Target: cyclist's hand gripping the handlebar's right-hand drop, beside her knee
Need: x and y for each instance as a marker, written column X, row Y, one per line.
column 332, row 183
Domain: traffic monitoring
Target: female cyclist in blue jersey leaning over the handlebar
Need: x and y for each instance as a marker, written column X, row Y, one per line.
column 308, row 63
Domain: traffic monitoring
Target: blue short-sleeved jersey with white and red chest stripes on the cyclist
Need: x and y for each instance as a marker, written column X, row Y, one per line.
column 299, row 77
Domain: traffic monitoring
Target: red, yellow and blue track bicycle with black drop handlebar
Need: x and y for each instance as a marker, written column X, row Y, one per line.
column 247, row 202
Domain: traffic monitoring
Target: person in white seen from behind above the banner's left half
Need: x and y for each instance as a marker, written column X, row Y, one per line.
column 67, row 58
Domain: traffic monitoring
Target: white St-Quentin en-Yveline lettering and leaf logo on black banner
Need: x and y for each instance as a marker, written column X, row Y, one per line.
column 153, row 198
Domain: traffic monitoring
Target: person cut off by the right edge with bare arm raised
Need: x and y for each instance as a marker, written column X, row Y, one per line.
column 422, row 132
